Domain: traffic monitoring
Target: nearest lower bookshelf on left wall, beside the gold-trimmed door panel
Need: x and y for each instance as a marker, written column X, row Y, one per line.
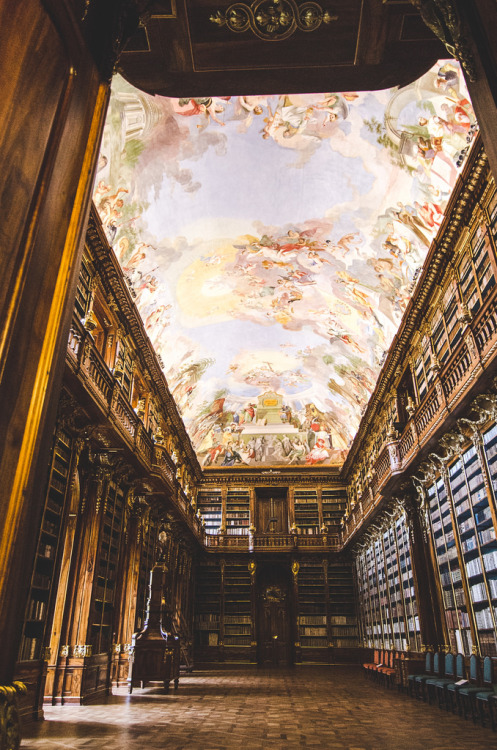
column 40, row 593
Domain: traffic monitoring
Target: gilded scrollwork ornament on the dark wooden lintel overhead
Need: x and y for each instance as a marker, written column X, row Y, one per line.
column 273, row 21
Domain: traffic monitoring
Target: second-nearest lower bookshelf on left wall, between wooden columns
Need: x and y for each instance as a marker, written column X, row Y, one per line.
column 106, row 570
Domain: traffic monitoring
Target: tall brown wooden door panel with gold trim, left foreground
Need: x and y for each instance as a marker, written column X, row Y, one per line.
column 51, row 115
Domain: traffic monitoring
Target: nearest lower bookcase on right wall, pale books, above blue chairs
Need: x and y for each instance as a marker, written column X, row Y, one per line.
column 462, row 522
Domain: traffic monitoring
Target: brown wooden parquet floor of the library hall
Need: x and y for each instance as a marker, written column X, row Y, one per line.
column 307, row 707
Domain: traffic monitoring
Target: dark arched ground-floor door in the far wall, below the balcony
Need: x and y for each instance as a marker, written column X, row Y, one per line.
column 275, row 637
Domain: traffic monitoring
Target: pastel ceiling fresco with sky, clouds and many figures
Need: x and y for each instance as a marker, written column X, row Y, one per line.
column 271, row 244
